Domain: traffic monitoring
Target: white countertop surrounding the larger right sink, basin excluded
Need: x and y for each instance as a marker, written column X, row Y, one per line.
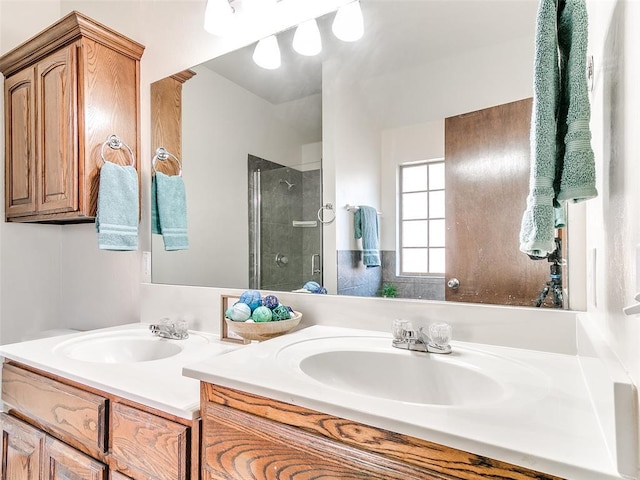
column 549, row 426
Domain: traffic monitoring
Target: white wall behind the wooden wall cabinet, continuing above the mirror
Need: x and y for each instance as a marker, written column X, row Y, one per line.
column 55, row 276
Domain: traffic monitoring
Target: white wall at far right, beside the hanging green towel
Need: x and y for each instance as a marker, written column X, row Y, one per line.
column 613, row 223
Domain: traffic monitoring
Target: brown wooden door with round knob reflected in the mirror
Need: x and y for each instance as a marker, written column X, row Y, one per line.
column 487, row 175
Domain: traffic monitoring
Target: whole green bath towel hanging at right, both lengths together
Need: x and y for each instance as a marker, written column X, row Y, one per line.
column 562, row 160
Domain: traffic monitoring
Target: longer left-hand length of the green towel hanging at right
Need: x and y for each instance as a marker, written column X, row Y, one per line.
column 537, row 228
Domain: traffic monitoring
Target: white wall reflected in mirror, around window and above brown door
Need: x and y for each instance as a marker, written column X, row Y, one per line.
column 371, row 125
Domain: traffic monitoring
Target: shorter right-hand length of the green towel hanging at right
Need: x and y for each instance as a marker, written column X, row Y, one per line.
column 577, row 181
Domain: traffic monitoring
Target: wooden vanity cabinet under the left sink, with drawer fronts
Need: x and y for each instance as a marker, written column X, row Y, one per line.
column 59, row 429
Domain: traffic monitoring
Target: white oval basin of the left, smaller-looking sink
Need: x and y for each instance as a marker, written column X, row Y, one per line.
column 123, row 347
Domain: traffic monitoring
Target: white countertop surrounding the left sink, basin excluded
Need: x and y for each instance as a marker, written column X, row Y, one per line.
column 158, row 384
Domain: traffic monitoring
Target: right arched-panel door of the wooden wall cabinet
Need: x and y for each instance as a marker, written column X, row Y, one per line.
column 57, row 131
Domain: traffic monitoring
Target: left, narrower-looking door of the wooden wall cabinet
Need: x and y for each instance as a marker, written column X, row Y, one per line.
column 20, row 144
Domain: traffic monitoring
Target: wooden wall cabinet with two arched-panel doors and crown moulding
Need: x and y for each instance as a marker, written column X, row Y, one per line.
column 66, row 90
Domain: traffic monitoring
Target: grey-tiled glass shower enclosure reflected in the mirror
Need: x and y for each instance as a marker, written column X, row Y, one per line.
column 285, row 236
